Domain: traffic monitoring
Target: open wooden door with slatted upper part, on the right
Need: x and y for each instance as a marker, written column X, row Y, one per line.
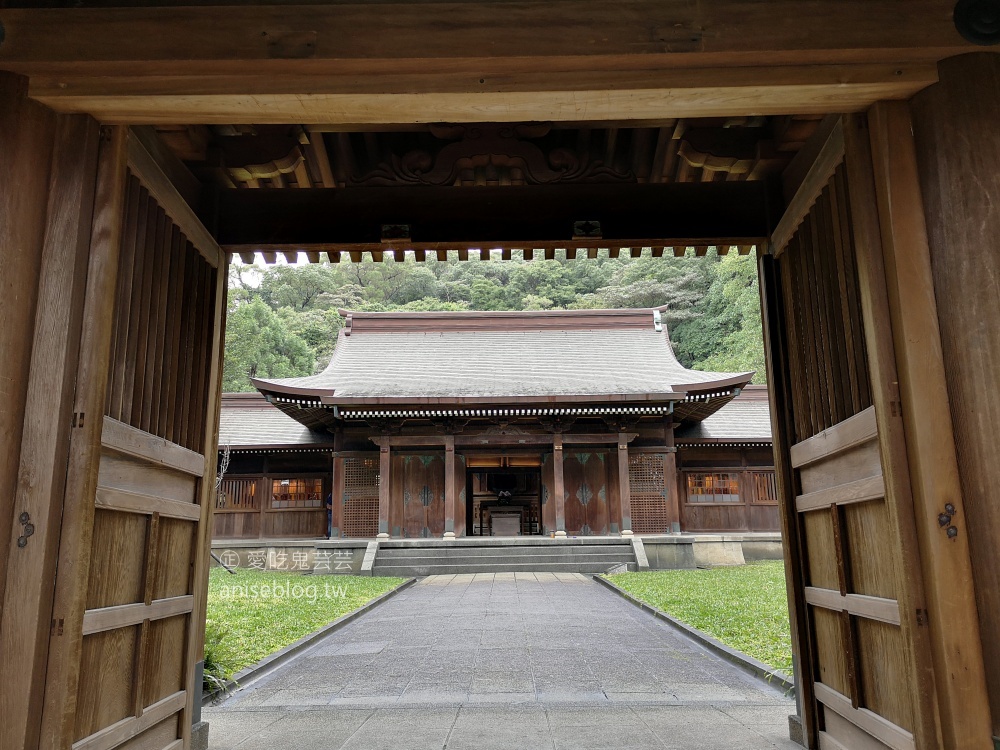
column 858, row 595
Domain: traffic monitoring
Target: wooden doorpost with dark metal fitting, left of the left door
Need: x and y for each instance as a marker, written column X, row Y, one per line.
column 48, row 408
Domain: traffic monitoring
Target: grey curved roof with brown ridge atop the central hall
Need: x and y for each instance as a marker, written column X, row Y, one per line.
column 502, row 356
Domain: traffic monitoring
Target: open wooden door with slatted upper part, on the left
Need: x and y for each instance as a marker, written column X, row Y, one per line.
column 131, row 582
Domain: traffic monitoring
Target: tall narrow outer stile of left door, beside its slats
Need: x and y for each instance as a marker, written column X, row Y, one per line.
column 85, row 443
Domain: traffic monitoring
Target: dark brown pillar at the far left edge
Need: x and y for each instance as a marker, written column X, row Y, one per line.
column 26, row 139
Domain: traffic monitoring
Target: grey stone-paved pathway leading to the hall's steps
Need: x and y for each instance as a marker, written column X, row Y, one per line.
column 515, row 660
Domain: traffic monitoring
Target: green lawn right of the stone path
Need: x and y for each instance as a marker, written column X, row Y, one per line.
column 744, row 606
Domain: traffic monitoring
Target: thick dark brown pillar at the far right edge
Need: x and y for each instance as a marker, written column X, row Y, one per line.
column 957, row 150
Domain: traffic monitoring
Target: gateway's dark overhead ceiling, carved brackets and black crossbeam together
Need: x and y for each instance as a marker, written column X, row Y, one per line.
column 389, row 189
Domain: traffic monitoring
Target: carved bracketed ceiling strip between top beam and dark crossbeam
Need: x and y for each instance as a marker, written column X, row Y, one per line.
column 678, row 150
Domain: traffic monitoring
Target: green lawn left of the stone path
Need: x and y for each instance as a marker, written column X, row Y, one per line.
column 255, row 613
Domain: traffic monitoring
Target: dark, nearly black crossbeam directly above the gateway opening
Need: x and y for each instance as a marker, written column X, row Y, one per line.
column 446, row 217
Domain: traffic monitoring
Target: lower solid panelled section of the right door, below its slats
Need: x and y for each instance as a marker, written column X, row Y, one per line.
column 852, row 577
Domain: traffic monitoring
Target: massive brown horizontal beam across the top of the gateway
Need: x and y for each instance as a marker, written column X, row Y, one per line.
column 621, row 61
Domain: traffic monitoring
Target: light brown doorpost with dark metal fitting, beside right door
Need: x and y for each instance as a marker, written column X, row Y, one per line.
column 945, row 563
